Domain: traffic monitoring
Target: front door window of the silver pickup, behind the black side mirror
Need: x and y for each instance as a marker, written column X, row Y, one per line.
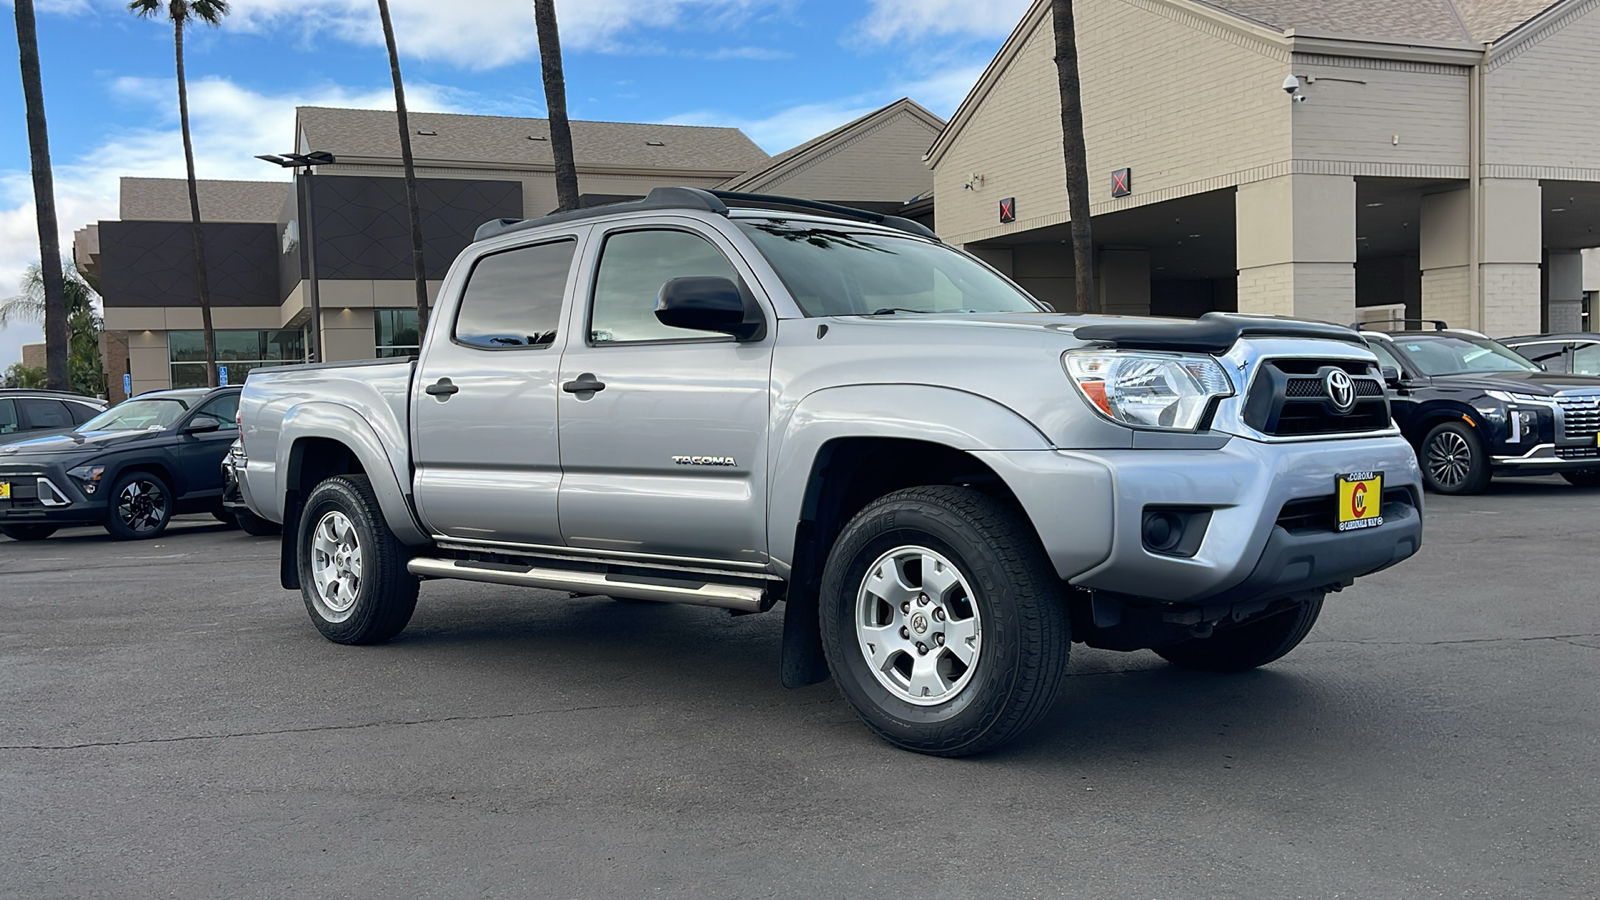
column 633, row 268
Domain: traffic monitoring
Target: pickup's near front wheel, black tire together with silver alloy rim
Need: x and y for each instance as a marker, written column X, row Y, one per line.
column 1007, row 589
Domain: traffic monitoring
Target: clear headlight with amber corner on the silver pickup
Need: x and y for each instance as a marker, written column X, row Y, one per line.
column 1150, row 390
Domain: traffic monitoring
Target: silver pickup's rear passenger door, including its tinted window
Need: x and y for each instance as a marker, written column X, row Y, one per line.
column 484, row 401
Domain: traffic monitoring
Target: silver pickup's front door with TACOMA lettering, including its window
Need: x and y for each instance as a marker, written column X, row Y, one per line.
column 663, row 430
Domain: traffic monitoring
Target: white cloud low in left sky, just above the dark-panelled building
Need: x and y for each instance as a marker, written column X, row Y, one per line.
column 231, row 126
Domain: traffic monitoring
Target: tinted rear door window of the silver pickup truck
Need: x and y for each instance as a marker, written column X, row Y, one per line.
column 514, row 299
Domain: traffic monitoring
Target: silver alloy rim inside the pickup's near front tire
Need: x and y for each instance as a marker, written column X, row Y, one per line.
column 919, row 627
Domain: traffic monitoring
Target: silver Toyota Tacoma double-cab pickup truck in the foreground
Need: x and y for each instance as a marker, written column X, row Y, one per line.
column 734, row 401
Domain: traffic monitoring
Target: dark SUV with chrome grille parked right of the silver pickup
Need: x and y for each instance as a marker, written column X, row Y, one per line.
column 1473, row 408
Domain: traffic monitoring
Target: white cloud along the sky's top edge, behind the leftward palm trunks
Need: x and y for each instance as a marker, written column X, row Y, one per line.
column 490, row 33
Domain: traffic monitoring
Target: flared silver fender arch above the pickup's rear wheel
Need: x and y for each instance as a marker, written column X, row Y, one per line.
column 343, row 425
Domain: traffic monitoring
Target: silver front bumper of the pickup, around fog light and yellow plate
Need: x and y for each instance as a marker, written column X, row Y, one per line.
column 1089, row 508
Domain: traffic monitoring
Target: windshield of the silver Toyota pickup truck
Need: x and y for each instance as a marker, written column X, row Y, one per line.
column 839, row 273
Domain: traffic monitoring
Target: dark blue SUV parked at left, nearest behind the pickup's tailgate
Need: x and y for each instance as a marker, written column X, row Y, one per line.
column 130, row 468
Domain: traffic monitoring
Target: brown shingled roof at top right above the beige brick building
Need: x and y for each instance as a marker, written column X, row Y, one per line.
column 1470, row 22
